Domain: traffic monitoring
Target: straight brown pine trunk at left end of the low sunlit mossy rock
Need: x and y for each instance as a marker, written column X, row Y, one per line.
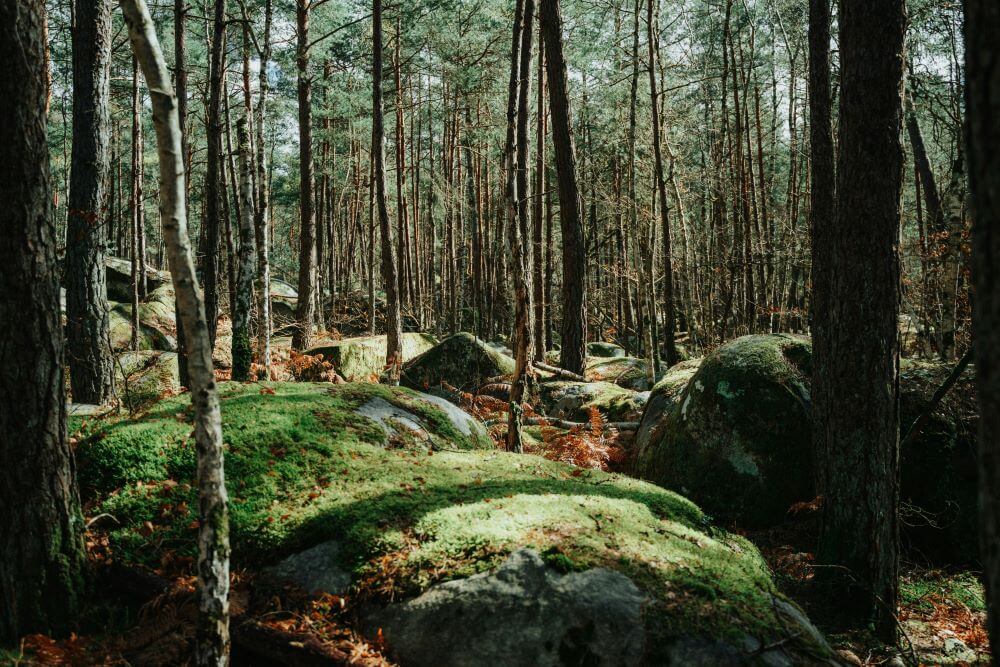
column 306, row 309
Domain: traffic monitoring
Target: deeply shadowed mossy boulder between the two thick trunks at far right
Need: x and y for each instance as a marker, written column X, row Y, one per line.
column 938, row 466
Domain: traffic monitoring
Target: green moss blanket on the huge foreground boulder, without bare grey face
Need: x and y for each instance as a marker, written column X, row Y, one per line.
column 305, row 468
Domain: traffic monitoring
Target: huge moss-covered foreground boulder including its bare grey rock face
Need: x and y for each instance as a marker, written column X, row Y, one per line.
column 462, row 556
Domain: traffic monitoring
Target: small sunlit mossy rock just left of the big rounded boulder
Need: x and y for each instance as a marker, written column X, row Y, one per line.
column 573, row 401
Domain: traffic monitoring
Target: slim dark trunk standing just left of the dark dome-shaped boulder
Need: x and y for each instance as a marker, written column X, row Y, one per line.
column 394, row 328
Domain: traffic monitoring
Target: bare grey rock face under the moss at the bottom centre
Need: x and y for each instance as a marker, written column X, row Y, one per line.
column 524, row 613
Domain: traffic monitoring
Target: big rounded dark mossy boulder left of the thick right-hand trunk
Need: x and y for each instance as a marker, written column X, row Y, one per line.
column 738, row 440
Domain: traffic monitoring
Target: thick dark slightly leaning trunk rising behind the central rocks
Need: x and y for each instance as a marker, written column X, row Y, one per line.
column 574, row 325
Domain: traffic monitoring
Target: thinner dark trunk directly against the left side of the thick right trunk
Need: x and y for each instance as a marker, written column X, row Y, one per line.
column 822, row 200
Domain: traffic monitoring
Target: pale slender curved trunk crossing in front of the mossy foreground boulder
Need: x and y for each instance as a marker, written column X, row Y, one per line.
column 212, row 647
